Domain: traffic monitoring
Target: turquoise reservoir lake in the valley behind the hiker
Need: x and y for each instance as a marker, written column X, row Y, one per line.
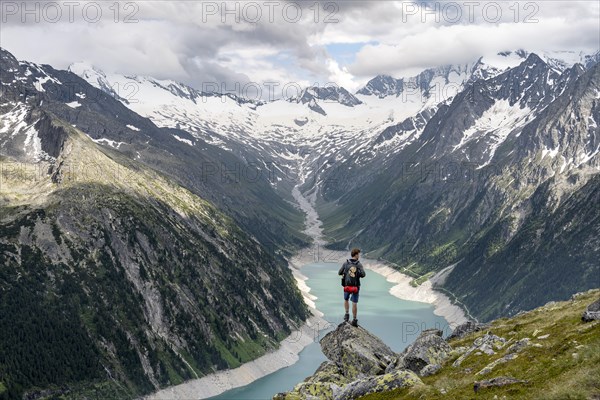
column 397, row 322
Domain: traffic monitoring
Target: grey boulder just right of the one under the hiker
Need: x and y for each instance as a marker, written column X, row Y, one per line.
column 429, row 349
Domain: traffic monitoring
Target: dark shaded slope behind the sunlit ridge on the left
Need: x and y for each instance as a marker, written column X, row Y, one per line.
column 237, row 186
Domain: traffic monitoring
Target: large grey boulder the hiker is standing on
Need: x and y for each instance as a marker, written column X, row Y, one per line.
column 356, row 351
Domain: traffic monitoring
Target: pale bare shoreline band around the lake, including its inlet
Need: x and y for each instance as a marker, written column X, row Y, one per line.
column 288, row 352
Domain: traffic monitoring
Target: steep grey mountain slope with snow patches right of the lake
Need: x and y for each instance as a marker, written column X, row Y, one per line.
column 511, row 163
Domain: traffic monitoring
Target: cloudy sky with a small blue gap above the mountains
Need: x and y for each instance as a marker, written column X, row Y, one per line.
column 275, row 42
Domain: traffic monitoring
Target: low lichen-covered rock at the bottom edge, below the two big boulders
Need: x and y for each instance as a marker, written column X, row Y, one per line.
column 382, row 383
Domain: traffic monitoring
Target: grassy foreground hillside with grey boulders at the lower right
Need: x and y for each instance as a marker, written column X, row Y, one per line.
column 480, row 362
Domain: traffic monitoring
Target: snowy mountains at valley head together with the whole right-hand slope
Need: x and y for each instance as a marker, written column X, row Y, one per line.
column 450, row 168
